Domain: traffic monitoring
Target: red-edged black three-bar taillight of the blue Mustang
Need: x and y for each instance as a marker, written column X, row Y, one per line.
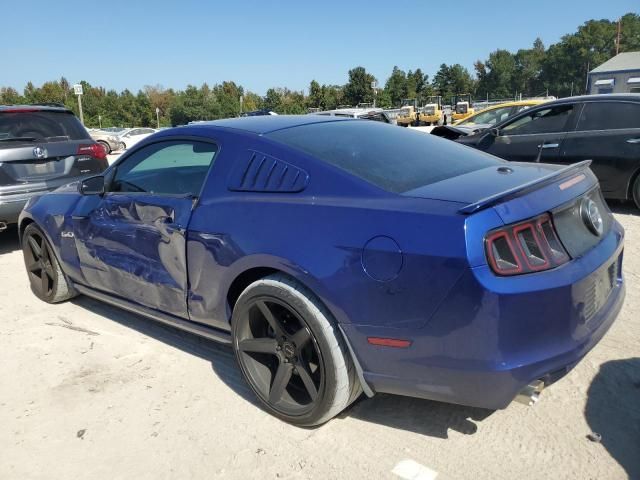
column 526, row 247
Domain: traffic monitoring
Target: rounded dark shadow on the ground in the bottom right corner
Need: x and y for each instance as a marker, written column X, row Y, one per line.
column 613, row 411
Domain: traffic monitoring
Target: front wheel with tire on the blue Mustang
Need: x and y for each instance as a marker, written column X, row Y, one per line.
column 47, row 280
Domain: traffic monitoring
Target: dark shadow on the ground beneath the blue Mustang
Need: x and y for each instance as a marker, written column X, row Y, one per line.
column 416, row 415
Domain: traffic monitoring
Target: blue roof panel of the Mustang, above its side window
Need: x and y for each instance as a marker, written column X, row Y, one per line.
column 268, row 123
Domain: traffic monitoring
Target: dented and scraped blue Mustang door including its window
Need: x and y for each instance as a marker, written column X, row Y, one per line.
column 132, row 244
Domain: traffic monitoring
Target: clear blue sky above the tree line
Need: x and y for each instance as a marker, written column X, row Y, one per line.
column 262, row 44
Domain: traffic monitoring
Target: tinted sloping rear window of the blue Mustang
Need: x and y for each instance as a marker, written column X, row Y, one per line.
column 393, row 158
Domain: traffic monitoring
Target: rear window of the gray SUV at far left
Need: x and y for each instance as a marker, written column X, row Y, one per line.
column 41, row 126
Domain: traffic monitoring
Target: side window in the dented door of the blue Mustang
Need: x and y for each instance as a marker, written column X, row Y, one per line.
column 174, row 167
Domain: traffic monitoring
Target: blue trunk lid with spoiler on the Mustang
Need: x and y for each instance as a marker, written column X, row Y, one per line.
column 530, row 190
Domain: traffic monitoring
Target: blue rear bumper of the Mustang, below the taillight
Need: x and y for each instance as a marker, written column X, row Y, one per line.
column 483, row 346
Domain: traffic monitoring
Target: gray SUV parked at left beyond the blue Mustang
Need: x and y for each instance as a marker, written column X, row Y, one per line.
column 41, row 148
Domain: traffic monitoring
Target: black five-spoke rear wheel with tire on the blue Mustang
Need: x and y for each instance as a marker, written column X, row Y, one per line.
column 291, row 353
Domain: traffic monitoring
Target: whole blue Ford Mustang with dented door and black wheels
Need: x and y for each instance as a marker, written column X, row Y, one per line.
column 343, row 256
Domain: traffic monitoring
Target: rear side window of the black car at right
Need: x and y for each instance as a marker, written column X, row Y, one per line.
column 609, row 116
